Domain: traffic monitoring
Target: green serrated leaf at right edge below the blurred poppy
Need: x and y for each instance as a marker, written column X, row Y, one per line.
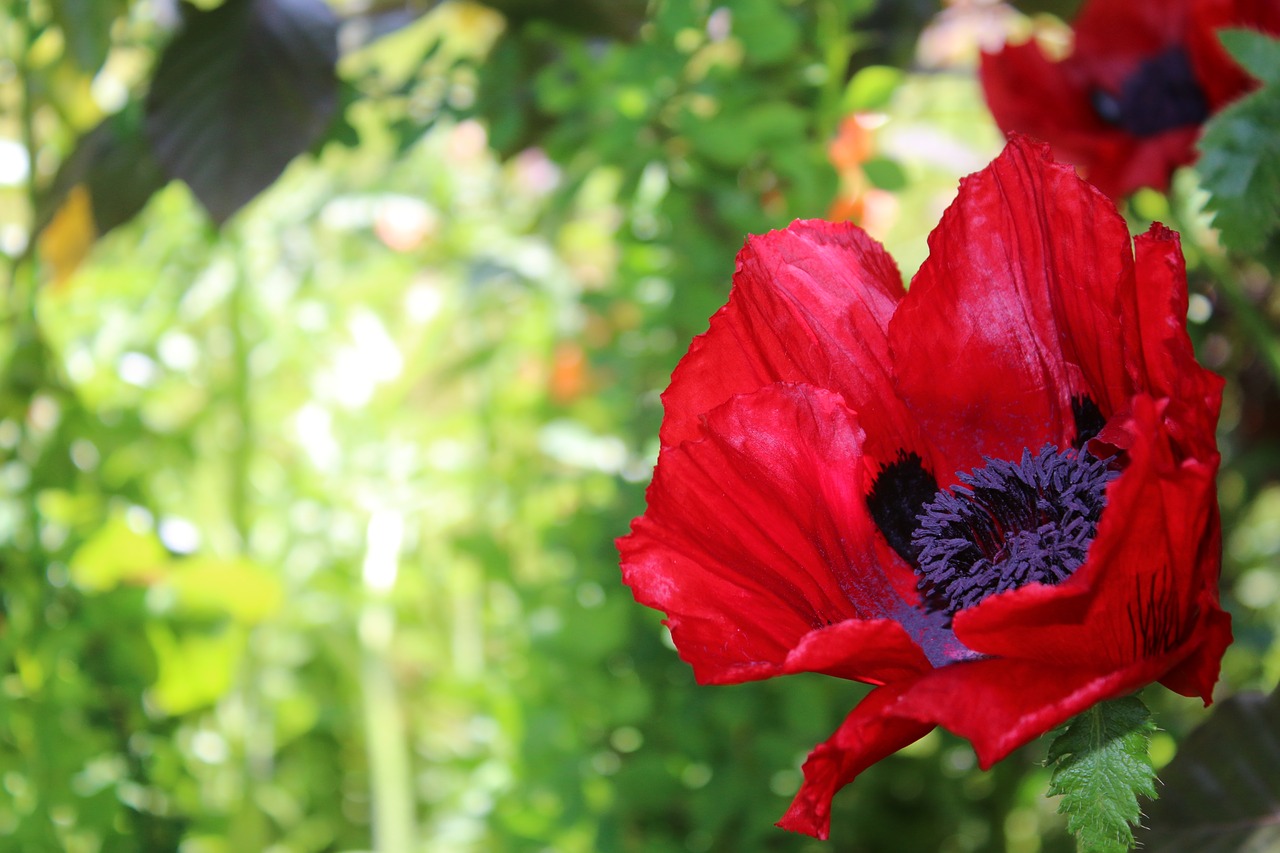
column 1241, row 167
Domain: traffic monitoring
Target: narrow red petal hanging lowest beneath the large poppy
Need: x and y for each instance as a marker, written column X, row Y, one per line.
column 867, row 736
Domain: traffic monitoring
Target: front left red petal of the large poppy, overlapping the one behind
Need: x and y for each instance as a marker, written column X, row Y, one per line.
column 757, row 539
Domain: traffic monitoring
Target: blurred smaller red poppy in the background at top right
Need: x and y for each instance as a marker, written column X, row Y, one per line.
column 1128, row 104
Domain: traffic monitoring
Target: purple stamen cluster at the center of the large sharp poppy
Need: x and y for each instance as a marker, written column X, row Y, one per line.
column 1008, row 526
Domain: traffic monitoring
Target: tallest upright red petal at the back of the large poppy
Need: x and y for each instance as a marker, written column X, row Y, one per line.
column 984, row 339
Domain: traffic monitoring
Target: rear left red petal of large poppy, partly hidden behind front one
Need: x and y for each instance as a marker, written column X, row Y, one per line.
column 810, row 304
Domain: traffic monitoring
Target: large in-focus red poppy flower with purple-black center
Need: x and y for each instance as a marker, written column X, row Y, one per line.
column 991, row 496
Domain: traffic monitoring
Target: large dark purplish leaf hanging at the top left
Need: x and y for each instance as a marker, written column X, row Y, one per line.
column 240, row 93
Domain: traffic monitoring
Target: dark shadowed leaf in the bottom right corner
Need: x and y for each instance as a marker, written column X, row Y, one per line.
column 1222, row 791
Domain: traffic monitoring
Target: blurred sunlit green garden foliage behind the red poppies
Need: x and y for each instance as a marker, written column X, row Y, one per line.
column 307, row 522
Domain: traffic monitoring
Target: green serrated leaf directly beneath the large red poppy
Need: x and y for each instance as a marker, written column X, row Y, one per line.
column 1101, row 767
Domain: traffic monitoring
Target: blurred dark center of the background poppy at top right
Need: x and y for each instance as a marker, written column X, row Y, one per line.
column 1160, row 95
